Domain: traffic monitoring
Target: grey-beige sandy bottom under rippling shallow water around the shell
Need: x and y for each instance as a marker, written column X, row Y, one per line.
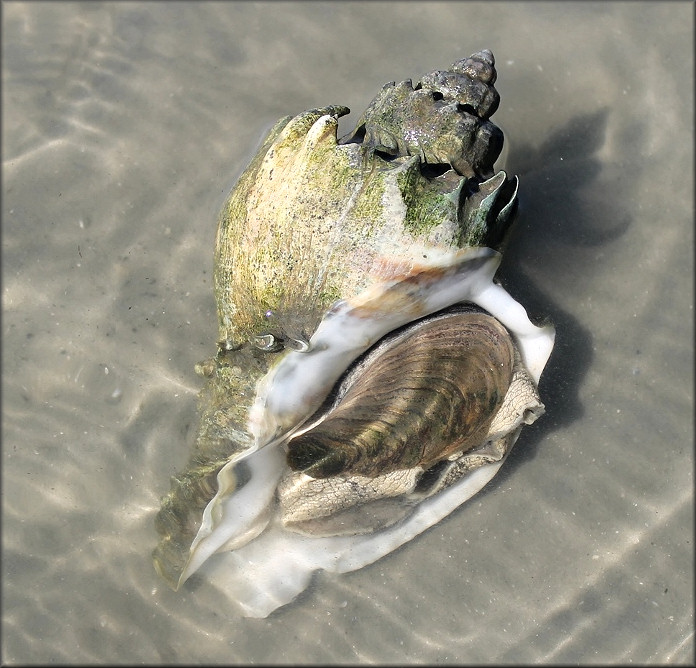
column 125, row 125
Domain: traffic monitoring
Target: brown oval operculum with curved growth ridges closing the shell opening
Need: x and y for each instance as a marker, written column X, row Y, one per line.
column 419, row 397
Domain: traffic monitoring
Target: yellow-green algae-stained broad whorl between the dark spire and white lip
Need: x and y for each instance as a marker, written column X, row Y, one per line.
column 309, row 225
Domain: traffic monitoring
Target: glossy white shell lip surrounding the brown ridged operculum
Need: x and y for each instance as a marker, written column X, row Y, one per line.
column 265, row 565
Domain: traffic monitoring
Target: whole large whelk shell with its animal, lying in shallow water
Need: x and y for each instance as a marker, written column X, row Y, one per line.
column 371, row 375
